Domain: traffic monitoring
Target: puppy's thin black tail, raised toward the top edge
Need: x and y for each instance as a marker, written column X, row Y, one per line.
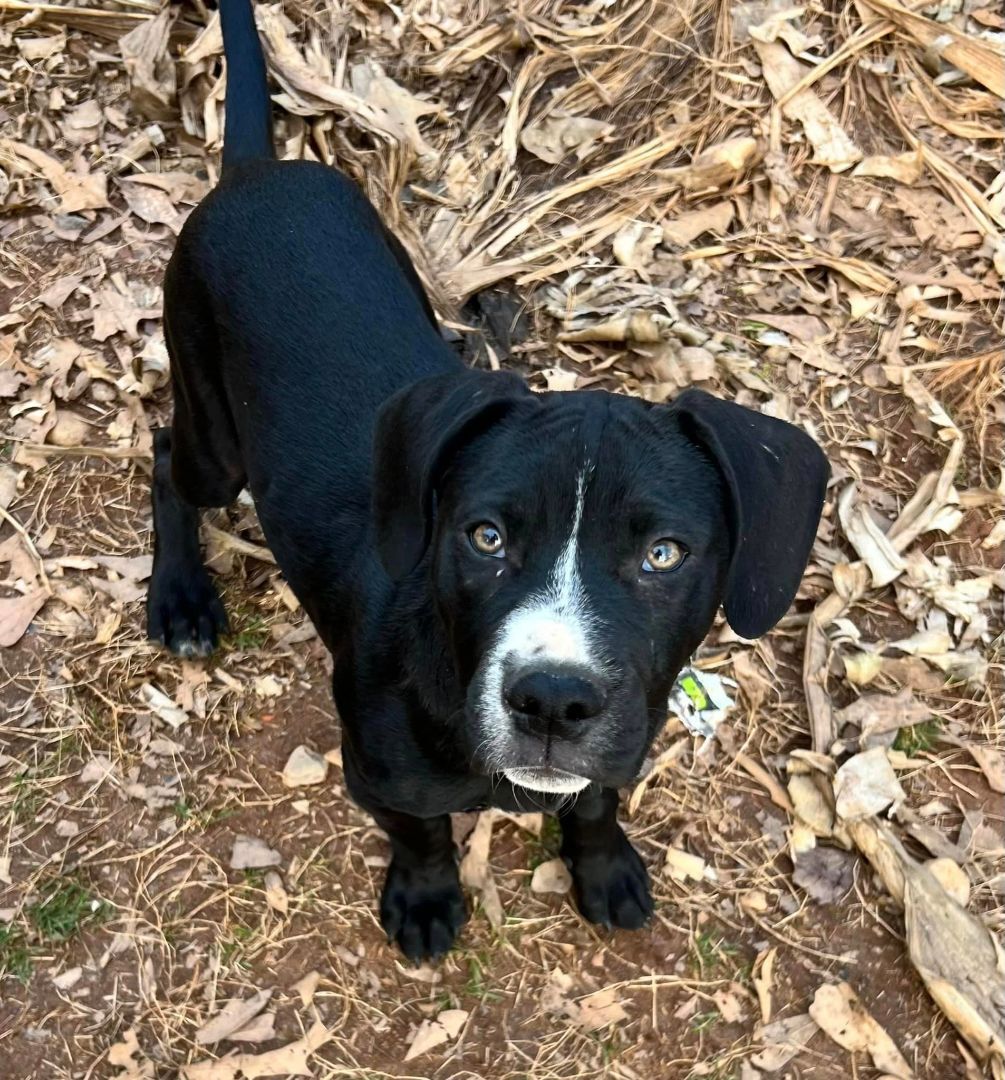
column 248, row 132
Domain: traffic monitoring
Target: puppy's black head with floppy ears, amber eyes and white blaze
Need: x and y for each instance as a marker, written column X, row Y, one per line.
column 577, row 548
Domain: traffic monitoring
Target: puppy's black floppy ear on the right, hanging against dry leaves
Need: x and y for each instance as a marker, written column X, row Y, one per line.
column 777, row 477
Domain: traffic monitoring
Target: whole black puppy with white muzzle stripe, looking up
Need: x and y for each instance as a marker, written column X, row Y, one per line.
column 509, row 582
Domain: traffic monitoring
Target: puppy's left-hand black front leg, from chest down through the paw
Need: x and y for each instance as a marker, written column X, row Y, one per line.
column 423, row 907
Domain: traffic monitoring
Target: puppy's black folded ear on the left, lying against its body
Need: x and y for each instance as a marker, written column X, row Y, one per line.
column 419, row 430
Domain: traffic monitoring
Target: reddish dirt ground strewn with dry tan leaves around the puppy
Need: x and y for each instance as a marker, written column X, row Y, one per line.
column 800, row 209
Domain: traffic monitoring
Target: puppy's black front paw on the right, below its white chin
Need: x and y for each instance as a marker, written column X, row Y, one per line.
column 613, row 886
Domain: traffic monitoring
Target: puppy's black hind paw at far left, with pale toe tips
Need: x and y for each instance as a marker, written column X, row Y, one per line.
column 184, row 612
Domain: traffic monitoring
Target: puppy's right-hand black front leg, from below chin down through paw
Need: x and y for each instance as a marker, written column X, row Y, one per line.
column 610, row 880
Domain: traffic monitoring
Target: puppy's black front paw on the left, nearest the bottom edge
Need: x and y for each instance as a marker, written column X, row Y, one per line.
column 423, row 909
